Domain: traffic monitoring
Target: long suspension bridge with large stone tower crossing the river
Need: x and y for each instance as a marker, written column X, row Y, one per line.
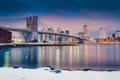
column 31, row 34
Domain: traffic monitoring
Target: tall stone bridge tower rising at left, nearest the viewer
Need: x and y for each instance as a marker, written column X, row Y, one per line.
column 32, row 25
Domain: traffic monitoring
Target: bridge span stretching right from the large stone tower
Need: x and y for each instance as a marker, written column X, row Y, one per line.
column 59, row 38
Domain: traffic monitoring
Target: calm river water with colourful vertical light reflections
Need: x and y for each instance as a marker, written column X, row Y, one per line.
column 94, row 56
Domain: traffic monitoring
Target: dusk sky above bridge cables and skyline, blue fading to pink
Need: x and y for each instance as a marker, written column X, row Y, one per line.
column 66, row 13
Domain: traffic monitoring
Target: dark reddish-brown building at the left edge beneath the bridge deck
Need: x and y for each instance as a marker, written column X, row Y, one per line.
column 5, row 36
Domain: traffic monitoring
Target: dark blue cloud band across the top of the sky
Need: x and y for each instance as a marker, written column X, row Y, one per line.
column 9, row 7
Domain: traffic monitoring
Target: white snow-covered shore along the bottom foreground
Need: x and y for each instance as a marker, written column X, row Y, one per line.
column 47, row 73
